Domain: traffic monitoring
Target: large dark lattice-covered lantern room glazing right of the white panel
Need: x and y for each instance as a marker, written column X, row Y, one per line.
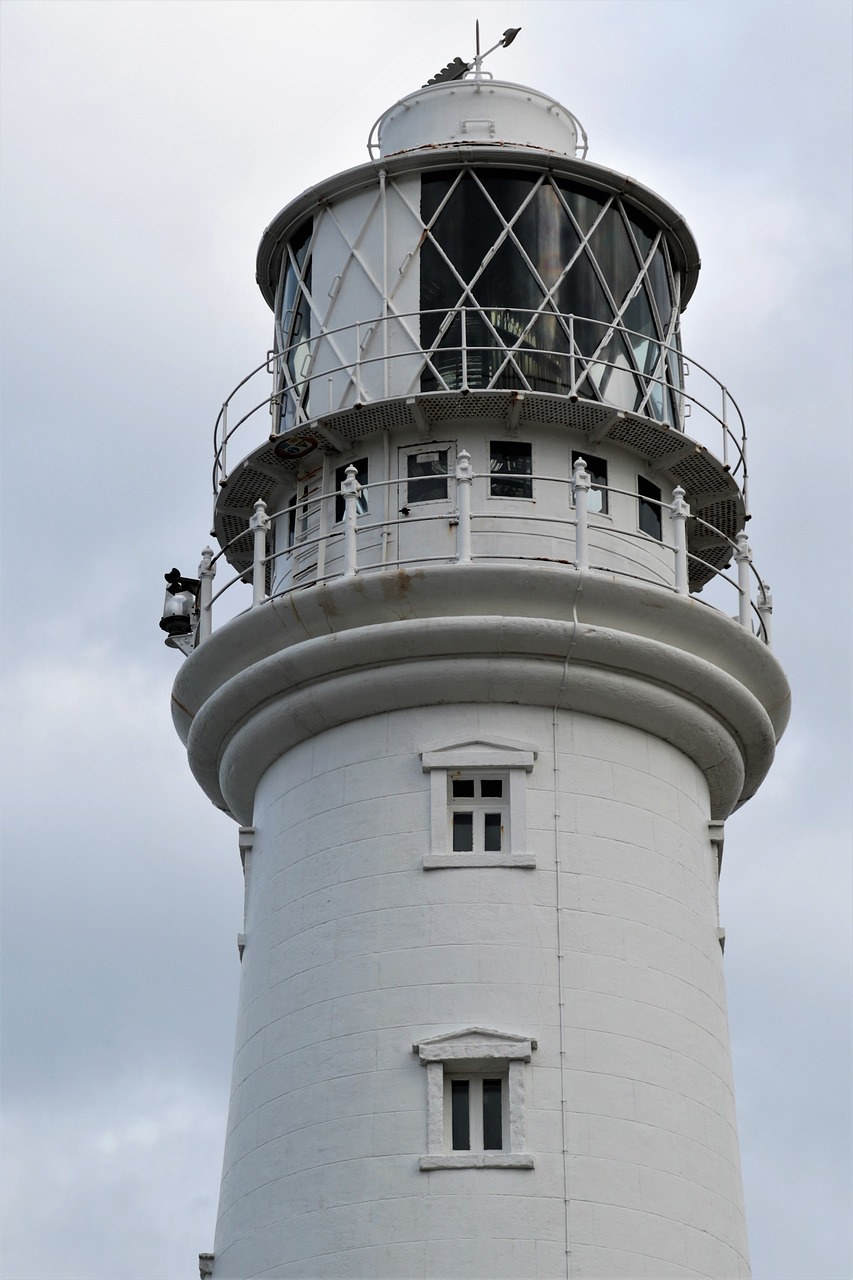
column 504, row 267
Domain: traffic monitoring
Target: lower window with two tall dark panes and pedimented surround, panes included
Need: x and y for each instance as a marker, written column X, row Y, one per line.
column 476, row 1100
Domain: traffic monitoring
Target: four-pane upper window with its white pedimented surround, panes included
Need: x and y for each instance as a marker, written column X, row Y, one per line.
column 478, row 804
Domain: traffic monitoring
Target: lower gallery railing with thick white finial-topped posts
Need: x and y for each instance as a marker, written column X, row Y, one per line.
column 348, row 548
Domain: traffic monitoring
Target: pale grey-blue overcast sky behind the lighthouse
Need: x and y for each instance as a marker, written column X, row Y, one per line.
column 145, row 148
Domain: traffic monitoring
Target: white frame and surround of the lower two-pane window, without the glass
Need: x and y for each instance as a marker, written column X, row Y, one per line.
column 476, row 1054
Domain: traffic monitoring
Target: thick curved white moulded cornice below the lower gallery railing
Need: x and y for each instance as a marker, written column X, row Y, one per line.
column 594, row 644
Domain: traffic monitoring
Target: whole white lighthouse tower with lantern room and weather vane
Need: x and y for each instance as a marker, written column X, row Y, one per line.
column 478, row 730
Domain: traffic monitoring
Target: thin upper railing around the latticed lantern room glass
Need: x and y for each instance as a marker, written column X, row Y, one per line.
column 475, row 349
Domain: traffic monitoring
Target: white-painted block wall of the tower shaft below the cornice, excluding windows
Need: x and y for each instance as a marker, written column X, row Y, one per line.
column 354, row 953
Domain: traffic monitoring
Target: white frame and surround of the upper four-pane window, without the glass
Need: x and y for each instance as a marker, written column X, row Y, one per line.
column 508, row 760
